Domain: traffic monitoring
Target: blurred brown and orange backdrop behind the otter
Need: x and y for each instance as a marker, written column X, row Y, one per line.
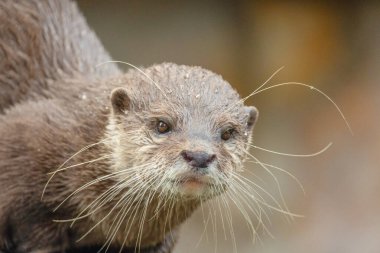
column 332, row 46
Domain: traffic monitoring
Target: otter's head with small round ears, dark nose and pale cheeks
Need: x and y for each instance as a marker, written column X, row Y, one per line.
column 179, row 131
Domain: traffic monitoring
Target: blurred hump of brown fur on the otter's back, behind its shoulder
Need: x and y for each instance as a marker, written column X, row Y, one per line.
column 42, row 42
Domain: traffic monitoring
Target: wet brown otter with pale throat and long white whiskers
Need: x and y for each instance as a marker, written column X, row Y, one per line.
column 94, row 159
